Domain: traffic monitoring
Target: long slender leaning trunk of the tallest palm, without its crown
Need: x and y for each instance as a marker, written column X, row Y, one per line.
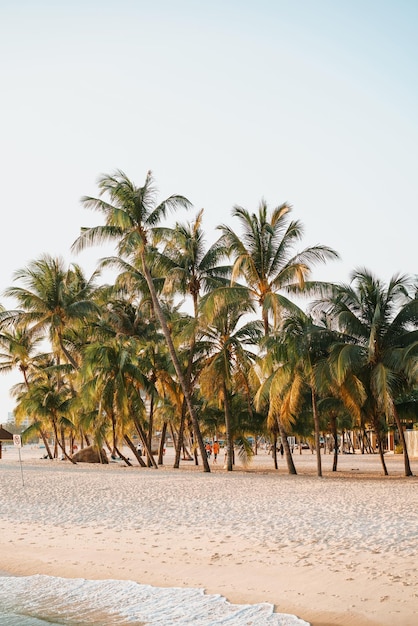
column 175, row 361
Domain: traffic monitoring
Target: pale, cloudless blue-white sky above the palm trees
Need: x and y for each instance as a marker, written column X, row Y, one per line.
column 226, row 102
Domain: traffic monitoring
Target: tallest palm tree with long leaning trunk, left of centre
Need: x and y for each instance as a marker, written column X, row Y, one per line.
column 131, row 213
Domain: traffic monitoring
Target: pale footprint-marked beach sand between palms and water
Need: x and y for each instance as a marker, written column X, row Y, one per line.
column 340, row 550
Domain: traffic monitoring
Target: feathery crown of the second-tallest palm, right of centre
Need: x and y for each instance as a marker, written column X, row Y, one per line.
column 264, row 257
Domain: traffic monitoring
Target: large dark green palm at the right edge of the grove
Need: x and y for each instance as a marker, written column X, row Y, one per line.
column 379, row 323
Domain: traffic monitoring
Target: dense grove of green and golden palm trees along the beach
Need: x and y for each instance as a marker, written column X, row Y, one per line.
column 198, row 343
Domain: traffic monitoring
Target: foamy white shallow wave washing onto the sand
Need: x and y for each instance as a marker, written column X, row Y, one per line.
column 40, row 600
